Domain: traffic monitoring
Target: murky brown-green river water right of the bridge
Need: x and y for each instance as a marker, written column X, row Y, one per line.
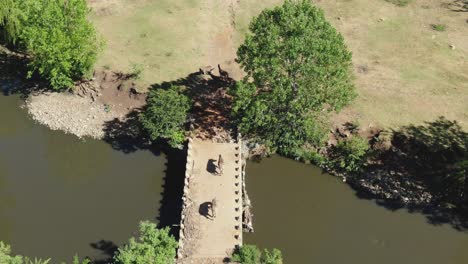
column 315, row 218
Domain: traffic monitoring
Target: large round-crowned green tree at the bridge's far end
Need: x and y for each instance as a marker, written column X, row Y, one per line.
column 298, row 69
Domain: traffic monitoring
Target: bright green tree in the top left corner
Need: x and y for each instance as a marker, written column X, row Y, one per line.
column 62, row 43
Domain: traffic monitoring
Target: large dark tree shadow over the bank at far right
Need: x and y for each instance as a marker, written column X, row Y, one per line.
column 432, row 157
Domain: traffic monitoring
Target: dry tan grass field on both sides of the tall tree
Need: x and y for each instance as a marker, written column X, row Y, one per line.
column 405, row 71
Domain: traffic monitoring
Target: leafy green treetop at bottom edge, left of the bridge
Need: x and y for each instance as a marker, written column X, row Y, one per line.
column 153, row 246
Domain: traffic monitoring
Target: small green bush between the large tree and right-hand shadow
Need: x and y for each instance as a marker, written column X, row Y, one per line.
column 349, row 155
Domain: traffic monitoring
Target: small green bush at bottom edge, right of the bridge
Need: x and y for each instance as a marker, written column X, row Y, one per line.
column 250, row 254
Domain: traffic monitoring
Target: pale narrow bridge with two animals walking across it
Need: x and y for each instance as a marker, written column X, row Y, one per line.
column 211, row 222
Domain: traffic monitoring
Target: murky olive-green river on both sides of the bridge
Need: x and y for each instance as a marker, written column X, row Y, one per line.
column 60, row 195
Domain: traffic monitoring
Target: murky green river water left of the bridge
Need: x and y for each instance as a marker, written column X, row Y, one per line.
column 59, row 194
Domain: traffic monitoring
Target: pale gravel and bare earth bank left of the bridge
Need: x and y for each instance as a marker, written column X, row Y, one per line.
column 86, row 111
